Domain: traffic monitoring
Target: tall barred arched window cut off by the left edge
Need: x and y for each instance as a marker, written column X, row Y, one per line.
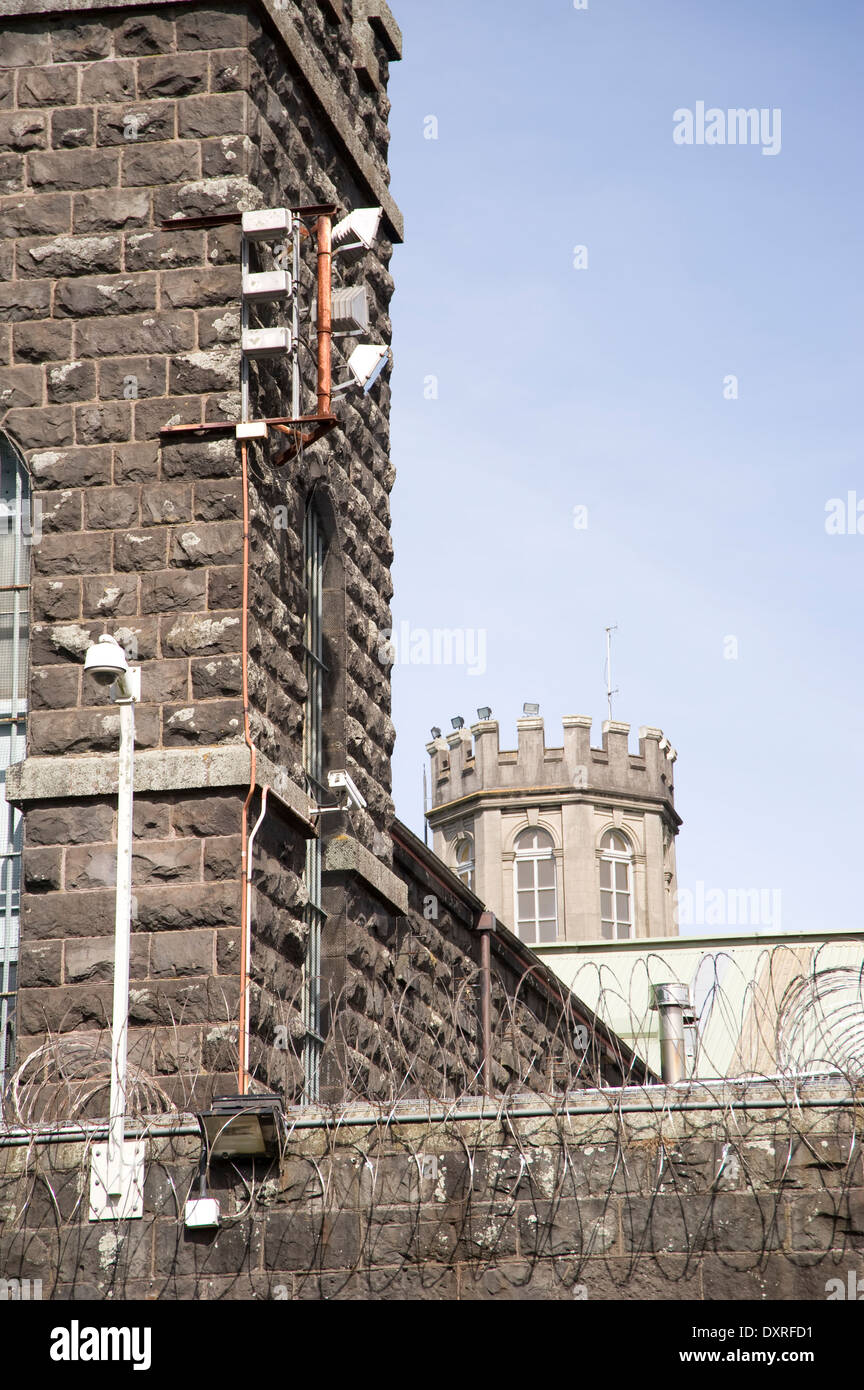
column 17, row 533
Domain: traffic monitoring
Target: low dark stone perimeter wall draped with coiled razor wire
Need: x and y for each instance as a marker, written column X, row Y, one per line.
column 736, row 1193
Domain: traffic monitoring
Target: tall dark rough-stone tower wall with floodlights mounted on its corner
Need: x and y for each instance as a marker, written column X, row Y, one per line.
column 113, row 329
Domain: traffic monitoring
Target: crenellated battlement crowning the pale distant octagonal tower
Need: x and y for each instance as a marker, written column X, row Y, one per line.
column 470, row 761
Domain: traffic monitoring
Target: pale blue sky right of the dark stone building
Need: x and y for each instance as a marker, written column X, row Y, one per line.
column 605, row 389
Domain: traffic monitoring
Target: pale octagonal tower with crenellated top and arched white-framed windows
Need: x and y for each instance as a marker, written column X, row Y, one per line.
column 563, row 844
